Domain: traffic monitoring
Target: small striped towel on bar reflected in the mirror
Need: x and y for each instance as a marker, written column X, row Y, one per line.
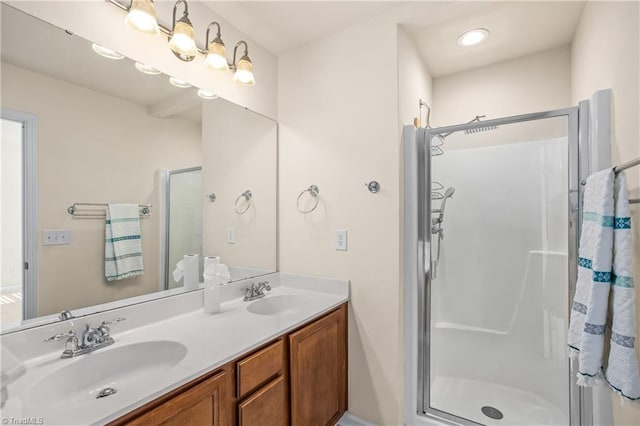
column 123, row 243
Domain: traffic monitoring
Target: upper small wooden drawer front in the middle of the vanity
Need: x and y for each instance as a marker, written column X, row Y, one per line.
column 258, row 368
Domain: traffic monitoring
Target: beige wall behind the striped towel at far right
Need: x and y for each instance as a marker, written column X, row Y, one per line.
column 605, row 54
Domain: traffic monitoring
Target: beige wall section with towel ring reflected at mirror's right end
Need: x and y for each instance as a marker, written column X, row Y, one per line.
column 239, row 151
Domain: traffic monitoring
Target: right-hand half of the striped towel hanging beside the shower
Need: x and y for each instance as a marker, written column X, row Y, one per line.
column 622, row 369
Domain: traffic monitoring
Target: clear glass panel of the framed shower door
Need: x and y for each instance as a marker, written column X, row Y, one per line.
column 497, row 272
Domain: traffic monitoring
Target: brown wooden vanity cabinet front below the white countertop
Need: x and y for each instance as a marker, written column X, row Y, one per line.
column 299, row 379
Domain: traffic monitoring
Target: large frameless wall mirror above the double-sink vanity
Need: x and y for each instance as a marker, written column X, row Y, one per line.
column 115, row 131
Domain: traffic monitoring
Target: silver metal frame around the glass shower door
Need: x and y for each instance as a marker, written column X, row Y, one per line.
column 578, row 148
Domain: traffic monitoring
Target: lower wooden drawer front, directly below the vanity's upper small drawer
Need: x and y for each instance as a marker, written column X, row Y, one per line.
column 267, row 407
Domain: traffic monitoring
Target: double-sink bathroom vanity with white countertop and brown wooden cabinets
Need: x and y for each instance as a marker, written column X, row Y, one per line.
column 277, row 360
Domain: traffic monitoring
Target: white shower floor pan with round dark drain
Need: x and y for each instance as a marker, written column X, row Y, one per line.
column 466, row 398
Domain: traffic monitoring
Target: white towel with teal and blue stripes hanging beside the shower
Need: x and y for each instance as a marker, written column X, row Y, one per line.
column 605, row 259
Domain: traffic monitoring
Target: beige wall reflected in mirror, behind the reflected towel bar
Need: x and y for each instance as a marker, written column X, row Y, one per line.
column 94, row 148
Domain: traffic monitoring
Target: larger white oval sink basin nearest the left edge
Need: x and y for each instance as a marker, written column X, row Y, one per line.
column 118, row 368
